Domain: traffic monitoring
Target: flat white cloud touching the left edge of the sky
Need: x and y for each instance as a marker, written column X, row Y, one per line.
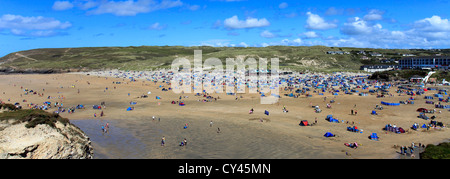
column 32, row 26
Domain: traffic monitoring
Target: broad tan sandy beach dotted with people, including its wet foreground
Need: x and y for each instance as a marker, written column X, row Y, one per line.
column 134, row 134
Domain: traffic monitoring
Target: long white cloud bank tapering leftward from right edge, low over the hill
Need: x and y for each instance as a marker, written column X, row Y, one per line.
column 432, row 32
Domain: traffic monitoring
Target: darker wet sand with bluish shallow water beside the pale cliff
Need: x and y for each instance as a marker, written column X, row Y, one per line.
column 141, row 139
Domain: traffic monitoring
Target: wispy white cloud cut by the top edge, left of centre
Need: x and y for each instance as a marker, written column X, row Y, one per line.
column 132, row 8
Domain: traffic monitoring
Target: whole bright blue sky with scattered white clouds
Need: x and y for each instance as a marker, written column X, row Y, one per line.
column 26, row 24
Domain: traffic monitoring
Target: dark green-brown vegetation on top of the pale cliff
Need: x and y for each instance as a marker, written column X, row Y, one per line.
column 32, row 117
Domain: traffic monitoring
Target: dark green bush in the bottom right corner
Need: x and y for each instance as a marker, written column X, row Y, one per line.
column 441, row 151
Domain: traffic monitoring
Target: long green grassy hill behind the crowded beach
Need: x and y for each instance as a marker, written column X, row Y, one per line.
column 312, row 58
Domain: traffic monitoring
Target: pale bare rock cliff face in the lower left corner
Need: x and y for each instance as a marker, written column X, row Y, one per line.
column 64, row 141
